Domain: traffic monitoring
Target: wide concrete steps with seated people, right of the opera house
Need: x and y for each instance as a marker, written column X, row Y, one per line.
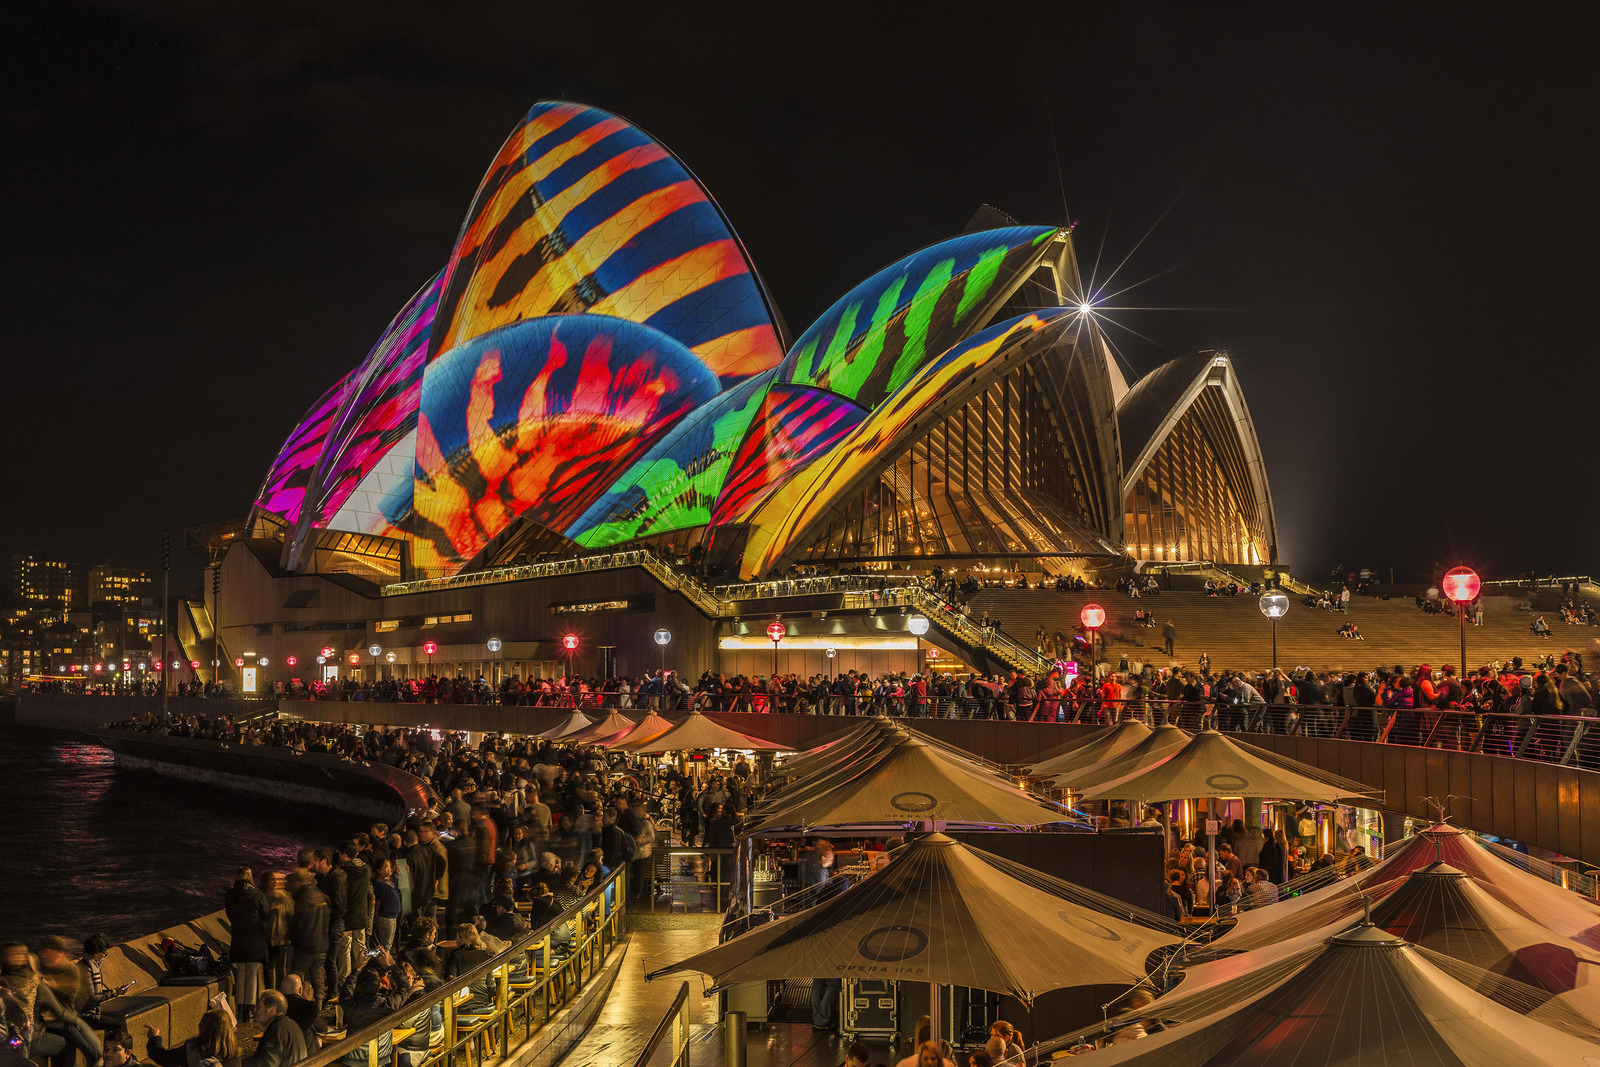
column 1236, row 634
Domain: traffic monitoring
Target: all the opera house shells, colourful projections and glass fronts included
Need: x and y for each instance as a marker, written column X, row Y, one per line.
column 599, row 364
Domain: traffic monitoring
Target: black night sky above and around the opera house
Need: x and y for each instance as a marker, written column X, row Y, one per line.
column 1388, row 218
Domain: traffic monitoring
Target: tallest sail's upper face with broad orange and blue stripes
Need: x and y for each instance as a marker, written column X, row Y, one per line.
column 583, row 212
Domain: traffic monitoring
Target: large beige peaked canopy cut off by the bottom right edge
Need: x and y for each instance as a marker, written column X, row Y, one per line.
column 1361, row 997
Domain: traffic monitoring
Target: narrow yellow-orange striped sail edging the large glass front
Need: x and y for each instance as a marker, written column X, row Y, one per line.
column 950, row 380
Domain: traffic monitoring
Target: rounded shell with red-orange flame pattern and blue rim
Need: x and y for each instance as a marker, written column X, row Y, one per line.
column 537, row 422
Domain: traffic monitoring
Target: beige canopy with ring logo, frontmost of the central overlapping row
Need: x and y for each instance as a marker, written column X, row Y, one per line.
column 916, row 781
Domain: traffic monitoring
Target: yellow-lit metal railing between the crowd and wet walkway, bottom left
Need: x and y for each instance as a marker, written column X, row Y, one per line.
column 530, row 986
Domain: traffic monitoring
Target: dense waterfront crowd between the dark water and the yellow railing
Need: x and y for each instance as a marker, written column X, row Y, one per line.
column 521, row 831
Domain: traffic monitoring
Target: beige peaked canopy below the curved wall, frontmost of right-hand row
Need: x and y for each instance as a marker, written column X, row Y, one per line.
column 1214, row 765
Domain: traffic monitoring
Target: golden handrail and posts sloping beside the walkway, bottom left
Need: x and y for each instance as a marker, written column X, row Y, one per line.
column 614, row 890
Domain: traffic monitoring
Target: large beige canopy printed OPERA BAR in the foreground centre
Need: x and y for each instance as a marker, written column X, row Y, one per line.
column 938, row 913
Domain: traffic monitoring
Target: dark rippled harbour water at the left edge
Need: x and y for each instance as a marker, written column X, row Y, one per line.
column 126, row 853
